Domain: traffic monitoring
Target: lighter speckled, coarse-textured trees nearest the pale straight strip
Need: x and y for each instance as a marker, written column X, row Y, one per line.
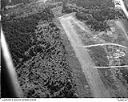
column 54, row 76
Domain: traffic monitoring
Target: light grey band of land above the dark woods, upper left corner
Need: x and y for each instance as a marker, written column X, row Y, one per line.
column 23, row 10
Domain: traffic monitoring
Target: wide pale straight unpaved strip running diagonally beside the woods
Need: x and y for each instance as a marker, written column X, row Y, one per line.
column 97, row 87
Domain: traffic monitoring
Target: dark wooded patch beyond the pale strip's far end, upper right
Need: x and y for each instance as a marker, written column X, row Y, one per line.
column 96, row 18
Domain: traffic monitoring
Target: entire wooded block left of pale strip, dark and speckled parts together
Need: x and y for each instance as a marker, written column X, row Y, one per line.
column 40, row 56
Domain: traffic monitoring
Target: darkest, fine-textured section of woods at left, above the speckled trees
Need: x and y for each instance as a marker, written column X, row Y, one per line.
column 20, row 32
